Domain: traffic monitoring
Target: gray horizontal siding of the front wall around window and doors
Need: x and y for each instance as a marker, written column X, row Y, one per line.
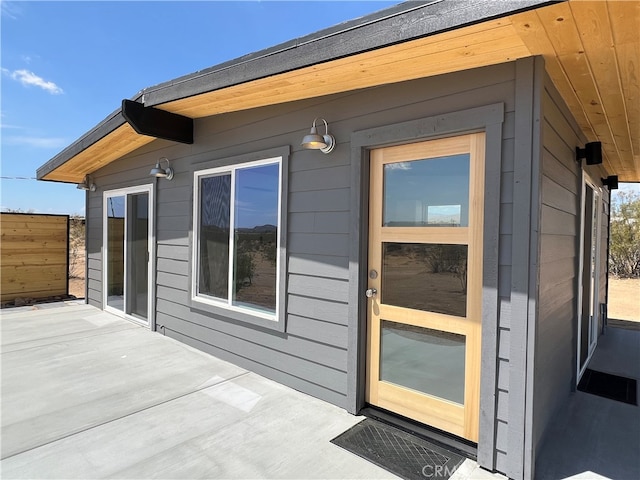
column 312, row 354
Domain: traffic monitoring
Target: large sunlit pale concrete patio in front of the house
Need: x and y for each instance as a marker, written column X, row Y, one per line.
column 86, row 394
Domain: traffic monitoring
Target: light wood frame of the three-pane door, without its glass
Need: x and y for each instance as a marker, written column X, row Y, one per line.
column 461, row 420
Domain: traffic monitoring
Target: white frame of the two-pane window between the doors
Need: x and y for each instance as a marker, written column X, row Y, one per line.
column 195, row 271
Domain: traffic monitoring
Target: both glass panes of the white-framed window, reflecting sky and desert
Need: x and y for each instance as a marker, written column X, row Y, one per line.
column 240, row 269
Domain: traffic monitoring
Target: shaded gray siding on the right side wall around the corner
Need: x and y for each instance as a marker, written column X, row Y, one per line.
column 559, row 256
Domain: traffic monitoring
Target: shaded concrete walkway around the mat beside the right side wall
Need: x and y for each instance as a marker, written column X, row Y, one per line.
column 594, row 437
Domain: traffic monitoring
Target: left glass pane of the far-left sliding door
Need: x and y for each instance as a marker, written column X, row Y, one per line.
column 115, row 252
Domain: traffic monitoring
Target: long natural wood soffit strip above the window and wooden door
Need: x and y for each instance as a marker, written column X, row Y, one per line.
column 453, row 51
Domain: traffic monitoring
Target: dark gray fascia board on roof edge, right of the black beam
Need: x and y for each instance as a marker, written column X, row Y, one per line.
column 429, row 18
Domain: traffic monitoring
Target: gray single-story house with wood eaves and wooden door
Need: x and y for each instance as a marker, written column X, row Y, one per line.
column 535, row 216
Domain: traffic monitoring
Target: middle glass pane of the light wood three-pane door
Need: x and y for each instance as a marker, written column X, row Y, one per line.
column 429, row 277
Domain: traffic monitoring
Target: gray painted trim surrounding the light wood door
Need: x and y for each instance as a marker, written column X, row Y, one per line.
column 490, row 119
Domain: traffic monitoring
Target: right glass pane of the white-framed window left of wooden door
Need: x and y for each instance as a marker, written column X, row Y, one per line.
column 256, row 233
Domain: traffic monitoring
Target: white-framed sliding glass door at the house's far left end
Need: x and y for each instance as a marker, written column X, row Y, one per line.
column 127, row 248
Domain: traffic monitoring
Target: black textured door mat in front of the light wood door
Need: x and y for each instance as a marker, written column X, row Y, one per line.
column 399, row 452
